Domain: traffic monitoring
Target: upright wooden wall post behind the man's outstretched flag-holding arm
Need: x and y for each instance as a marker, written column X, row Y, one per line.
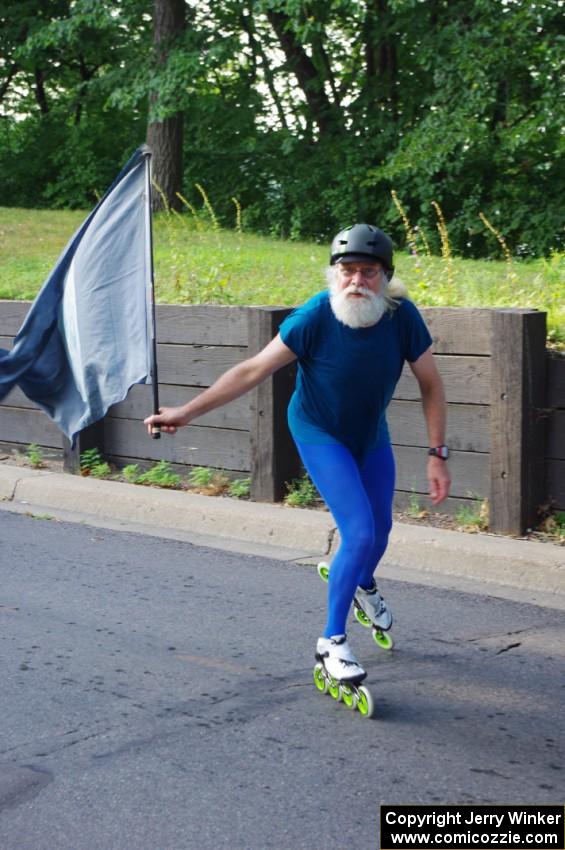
column 274, row 459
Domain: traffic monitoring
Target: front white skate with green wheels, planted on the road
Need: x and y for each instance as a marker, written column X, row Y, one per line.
column 339, row 674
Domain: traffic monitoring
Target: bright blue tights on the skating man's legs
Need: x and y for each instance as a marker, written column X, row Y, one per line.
column 359, row 495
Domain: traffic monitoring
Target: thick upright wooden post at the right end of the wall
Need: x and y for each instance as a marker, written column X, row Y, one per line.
column 517, row 428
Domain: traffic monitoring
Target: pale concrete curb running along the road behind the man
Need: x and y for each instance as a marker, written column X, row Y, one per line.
column 303, row 534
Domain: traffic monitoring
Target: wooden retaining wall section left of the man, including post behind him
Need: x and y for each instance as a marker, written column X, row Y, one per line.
column 195, row 345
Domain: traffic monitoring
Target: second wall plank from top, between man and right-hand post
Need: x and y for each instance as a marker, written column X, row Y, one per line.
column 466, row 380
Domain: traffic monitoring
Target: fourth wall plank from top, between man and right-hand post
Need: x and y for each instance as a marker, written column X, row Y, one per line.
column 469, row 472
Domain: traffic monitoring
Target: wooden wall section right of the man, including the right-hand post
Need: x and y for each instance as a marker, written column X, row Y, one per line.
column 493, row 365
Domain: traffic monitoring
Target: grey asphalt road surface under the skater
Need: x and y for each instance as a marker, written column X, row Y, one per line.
column 158, row 696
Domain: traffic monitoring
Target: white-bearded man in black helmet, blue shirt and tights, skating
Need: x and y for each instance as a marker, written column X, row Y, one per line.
column 351, row 342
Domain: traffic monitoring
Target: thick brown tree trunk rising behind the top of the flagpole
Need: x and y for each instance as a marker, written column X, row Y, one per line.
column 165, row 137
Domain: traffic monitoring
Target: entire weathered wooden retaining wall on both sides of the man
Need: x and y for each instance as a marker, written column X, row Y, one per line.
column 493, row 363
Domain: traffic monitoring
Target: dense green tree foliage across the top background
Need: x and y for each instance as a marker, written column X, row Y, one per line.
column 308, row 112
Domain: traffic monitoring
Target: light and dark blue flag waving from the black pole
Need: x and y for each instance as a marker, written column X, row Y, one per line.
column 87, row 337
